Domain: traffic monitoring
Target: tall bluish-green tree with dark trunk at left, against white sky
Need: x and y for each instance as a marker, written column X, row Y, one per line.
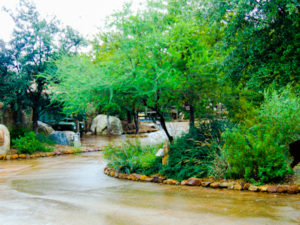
column 32, row 50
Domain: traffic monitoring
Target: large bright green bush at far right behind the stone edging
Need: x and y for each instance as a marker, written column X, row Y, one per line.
column 258, row 150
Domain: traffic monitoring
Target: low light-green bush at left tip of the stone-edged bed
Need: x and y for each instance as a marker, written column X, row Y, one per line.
column 133, row 158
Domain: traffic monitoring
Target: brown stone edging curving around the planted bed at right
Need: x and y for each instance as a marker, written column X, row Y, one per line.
column 229, row 184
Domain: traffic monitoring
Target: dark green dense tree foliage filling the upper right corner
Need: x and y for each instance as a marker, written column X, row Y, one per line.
column 263, row 38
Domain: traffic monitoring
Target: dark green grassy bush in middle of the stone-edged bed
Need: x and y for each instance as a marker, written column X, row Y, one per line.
column 192, row 154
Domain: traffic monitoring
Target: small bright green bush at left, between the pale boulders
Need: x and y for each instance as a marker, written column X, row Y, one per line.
column 29, row 144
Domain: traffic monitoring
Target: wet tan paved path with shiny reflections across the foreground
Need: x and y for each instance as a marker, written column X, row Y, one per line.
column 72, row 190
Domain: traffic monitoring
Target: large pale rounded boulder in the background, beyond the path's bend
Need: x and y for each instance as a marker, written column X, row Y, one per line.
column 99, row 125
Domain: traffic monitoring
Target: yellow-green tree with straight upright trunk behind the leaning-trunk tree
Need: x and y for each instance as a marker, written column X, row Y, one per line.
column 193, row 43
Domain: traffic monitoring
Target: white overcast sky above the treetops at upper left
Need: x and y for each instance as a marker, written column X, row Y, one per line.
column 85, row 16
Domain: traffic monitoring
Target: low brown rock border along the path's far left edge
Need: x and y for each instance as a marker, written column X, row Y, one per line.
column 44, row 154
